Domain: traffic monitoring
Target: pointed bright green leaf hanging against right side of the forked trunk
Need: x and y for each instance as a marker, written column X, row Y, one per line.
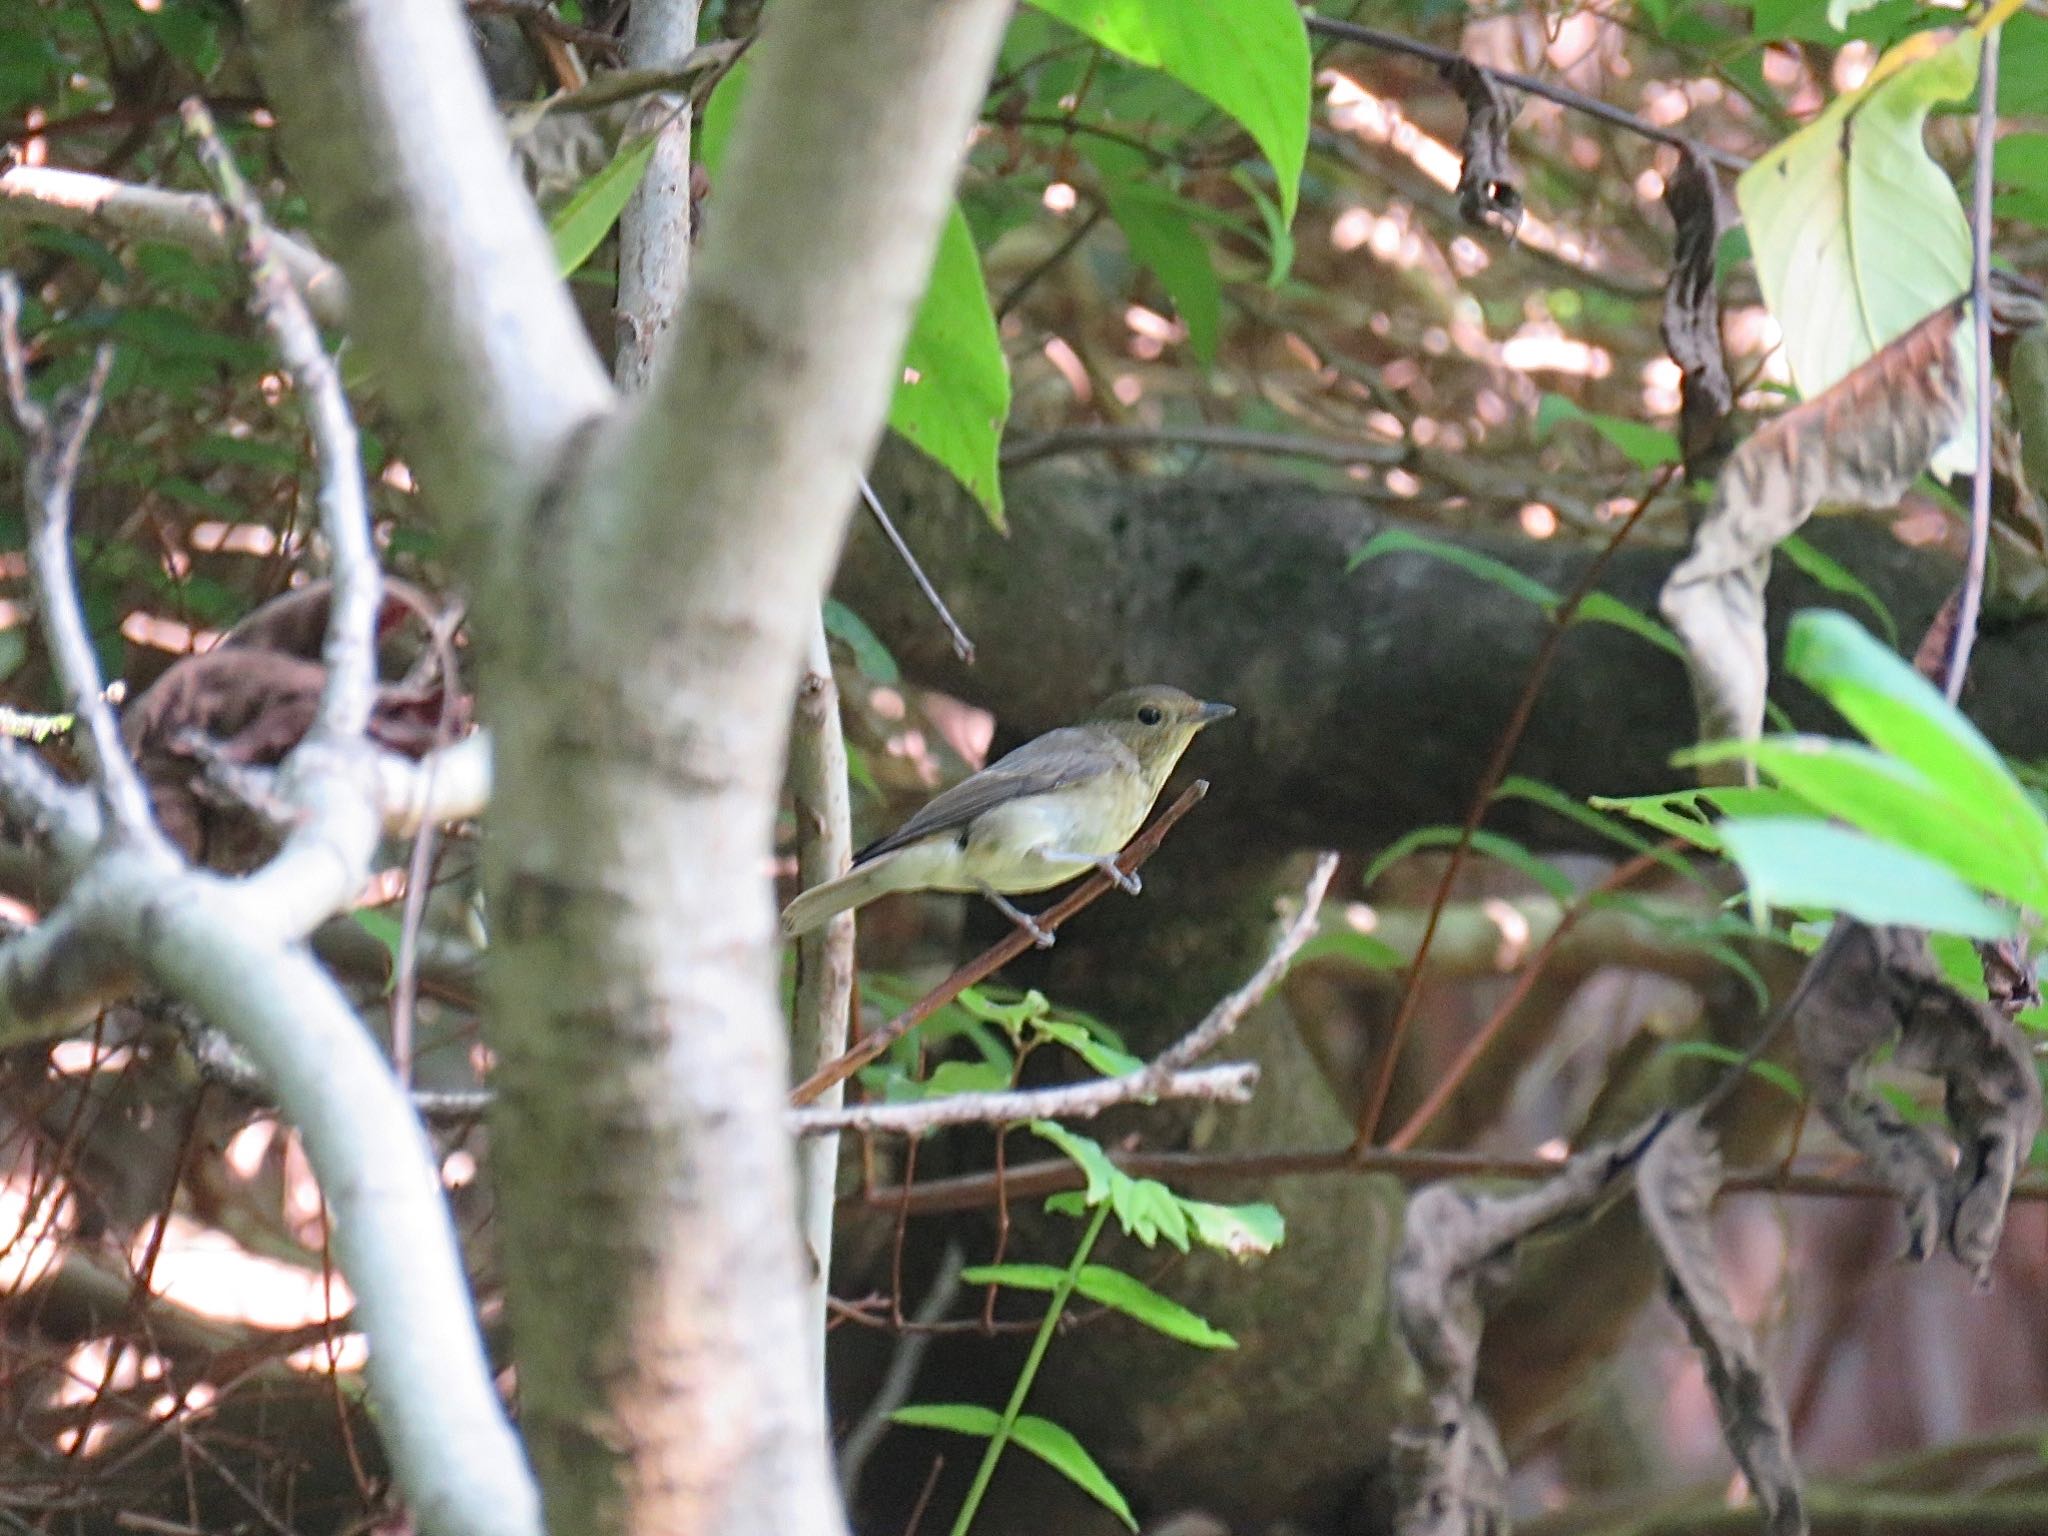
column 953, row 396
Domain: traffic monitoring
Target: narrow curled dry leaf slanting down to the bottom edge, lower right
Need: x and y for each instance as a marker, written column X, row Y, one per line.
column 1676, row 1191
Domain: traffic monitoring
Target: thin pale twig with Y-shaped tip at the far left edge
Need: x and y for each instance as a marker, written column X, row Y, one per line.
column 54, row 445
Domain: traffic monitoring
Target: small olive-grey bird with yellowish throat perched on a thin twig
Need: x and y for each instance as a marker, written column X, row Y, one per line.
column 1056, row 808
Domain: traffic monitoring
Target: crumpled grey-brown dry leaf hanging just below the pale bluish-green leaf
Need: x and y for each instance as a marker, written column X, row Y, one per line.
column 1887, row 988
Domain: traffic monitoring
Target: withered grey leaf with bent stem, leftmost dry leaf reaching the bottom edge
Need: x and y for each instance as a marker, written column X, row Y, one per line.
column 1457, row 1256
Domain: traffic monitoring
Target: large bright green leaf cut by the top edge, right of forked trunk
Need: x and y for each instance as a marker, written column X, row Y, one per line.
column 1246, row 56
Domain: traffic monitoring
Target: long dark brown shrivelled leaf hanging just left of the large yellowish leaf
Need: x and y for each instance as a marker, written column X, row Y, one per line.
column 1693, row 316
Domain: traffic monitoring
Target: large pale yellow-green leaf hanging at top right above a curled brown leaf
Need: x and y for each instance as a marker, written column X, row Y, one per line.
column 1859, row 234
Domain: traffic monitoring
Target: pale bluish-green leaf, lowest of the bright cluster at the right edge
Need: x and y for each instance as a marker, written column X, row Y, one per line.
column 1805, row 865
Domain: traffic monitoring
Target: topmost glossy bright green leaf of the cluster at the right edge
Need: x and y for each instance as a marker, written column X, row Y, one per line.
column 1902, row 714
